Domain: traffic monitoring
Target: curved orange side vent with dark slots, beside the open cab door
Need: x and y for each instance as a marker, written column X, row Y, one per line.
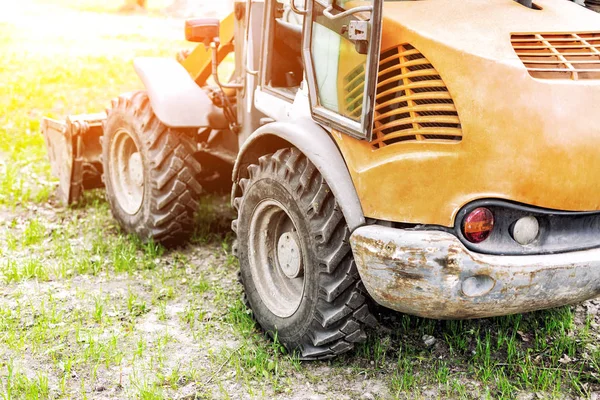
column 412, row 102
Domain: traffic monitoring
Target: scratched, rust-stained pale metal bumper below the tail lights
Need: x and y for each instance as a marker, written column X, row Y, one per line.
column 431, row 274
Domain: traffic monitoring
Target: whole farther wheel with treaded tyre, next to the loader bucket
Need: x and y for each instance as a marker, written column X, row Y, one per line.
column 168, row 196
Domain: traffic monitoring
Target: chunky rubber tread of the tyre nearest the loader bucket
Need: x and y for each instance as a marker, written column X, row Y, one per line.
column 173, row 173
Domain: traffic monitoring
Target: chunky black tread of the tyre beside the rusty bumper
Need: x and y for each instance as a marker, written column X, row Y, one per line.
column 342, row 312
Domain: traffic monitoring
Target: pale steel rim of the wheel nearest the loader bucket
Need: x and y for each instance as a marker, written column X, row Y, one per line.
column 126, row 172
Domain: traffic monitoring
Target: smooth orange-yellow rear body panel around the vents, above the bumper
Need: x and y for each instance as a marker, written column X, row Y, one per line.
column 527, row 140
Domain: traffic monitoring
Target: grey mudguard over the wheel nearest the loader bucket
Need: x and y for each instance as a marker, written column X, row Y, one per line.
column 176, row 99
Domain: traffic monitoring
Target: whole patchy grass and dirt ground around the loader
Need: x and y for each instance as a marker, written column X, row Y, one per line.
column 87, row 311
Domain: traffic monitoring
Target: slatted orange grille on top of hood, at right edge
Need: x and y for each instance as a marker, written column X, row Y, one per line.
column 573, row 56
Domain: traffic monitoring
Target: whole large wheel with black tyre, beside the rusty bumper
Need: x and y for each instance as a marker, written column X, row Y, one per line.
column 332, row 311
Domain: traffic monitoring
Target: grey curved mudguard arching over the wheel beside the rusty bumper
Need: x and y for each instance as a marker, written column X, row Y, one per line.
column 316, row 144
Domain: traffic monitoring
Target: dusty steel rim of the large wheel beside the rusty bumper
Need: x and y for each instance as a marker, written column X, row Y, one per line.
column 282, row 293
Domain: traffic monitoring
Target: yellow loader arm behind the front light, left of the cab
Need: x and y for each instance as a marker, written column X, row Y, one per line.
column 199, row 62
